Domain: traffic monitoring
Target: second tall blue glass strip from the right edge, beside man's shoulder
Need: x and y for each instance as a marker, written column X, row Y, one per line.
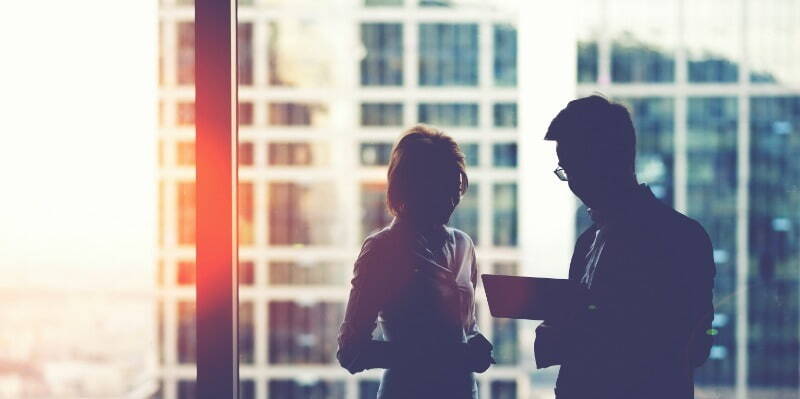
column 712, row 131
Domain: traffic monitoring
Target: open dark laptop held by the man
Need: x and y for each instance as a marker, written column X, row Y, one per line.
column 530, row 298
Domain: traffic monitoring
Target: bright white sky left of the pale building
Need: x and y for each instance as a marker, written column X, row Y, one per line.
column 77, row 160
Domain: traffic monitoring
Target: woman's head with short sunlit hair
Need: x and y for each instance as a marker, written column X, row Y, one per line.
column 426, row 175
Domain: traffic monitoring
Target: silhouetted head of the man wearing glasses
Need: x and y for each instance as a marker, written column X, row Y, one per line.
column 596, row 147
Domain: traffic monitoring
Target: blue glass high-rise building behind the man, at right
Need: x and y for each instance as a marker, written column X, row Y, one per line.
column 714, row 89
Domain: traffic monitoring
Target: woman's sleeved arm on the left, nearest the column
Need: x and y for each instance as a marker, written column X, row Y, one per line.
column 357, row 350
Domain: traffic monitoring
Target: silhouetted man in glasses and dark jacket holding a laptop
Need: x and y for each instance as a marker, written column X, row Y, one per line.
column 646, row 270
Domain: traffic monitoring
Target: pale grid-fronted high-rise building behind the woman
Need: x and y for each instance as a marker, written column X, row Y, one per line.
column 325, row 88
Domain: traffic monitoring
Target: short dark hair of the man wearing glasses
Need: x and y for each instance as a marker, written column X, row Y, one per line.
column 603, row 127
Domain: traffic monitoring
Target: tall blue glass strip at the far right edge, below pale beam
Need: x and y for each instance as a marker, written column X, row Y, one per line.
column 774, row 239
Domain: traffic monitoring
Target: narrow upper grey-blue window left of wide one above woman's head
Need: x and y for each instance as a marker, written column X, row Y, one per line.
column 383, row 63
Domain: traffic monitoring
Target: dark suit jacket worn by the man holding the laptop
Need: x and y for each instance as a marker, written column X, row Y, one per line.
column 646, row 322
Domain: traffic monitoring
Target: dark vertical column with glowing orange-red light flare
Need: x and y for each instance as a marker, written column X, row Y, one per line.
column 215, row 102
